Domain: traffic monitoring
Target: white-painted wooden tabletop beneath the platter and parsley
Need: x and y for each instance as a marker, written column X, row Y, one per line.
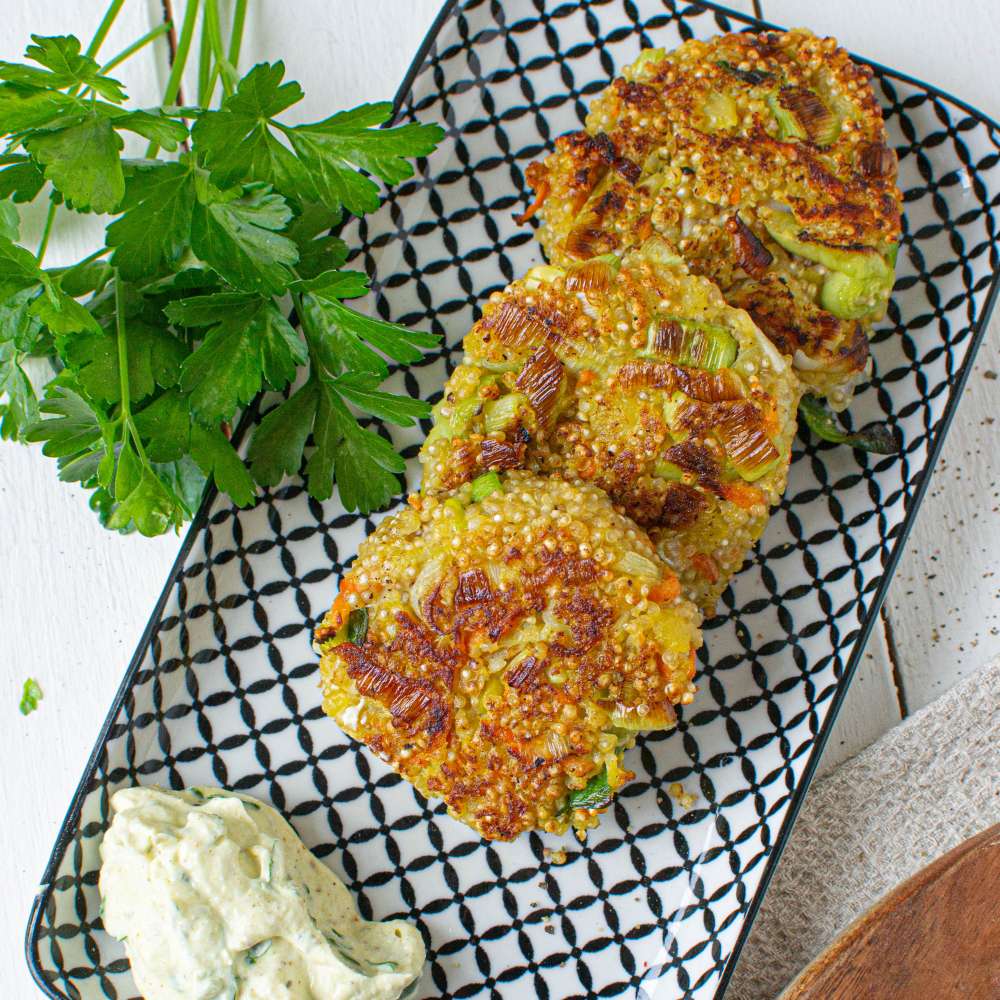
column 75, row 598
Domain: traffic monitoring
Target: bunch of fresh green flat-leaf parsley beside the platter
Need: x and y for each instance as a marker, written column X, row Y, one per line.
column 160, row 336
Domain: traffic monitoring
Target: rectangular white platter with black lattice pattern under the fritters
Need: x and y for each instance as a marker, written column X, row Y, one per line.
column 223, row 689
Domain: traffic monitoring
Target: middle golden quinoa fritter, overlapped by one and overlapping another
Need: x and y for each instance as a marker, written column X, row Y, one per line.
column 636, row 376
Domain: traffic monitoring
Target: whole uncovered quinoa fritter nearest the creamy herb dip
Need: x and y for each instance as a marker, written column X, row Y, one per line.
column 502, row 653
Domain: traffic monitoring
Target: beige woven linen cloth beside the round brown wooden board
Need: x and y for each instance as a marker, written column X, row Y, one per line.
column 880, row 817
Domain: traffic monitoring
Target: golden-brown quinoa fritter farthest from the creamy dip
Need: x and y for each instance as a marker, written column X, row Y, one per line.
column 763, row 158
